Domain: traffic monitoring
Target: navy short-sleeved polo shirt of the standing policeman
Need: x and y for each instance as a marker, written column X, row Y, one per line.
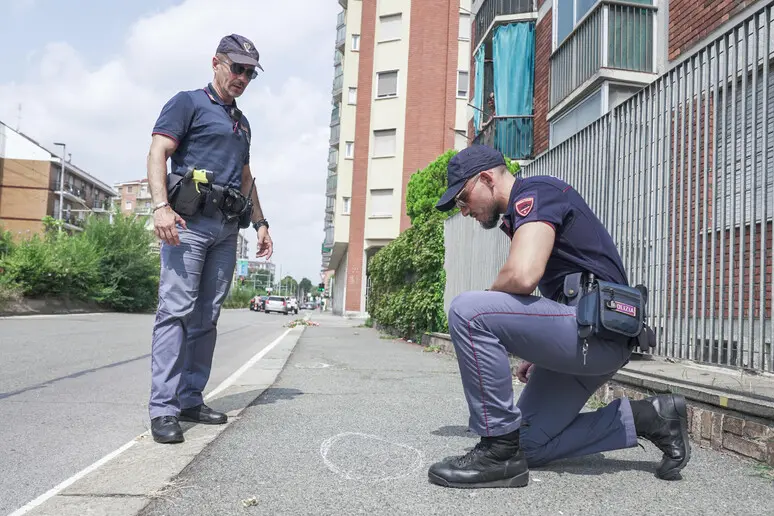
column 207, row 137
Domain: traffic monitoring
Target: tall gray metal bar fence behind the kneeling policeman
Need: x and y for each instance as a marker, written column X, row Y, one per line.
column 680, row 175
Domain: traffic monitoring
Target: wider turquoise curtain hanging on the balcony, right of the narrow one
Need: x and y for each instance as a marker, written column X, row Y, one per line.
column 513, row 50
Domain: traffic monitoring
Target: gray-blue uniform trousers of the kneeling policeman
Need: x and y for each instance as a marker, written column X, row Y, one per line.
column 486, row 326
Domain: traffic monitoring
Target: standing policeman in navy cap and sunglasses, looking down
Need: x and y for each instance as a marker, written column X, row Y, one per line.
column 208, row 140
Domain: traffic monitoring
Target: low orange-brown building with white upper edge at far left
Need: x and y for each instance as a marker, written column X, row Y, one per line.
column 32, row 187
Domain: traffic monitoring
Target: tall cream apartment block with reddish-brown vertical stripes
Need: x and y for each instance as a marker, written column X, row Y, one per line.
column 399, row 99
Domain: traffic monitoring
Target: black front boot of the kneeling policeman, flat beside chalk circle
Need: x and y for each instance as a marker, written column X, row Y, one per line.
column 494, row 462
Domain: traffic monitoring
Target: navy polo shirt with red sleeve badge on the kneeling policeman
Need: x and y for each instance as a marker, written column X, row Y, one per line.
column 582, row 243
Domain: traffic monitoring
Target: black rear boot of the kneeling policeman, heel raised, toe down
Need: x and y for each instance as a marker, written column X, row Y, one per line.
column 663, row 420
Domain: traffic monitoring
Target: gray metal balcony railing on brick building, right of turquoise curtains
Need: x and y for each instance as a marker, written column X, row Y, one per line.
column 612, row 35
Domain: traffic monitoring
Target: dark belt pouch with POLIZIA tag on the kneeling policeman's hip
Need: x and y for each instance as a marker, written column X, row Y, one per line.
column 611, row 311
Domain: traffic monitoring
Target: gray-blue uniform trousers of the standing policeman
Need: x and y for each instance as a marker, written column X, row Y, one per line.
column 195, row 280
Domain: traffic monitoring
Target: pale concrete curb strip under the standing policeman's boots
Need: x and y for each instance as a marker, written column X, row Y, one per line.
column 145, row 471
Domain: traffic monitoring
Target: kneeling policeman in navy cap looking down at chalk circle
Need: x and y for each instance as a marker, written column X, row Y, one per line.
column 556, row 241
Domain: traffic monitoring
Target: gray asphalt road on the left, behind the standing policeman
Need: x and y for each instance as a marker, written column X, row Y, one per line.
column 75, row 388
